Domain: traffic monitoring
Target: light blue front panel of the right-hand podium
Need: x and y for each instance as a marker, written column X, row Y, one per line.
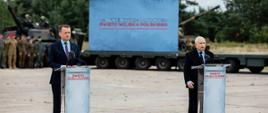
column 214, row 89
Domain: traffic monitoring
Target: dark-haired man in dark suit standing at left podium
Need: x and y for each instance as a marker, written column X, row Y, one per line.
column 61, row 53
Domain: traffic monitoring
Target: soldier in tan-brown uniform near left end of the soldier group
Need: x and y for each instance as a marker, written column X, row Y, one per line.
column 12, row 52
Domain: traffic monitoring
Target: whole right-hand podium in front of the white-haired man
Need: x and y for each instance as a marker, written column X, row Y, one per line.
column 211, row 87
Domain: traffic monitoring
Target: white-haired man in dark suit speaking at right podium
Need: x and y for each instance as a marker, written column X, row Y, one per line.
column 196, row 57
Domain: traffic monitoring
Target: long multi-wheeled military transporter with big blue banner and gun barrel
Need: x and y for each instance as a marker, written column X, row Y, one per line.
column 145, row 34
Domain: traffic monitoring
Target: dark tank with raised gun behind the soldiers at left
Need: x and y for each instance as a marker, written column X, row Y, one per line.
column 38, row 32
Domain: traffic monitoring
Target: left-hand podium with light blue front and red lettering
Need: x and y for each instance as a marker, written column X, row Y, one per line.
column 75, row 87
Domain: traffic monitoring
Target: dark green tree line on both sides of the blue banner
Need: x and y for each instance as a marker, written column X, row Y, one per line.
column 243, row 20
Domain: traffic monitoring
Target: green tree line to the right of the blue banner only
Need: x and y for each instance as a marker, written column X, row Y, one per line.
column 243, row 21
